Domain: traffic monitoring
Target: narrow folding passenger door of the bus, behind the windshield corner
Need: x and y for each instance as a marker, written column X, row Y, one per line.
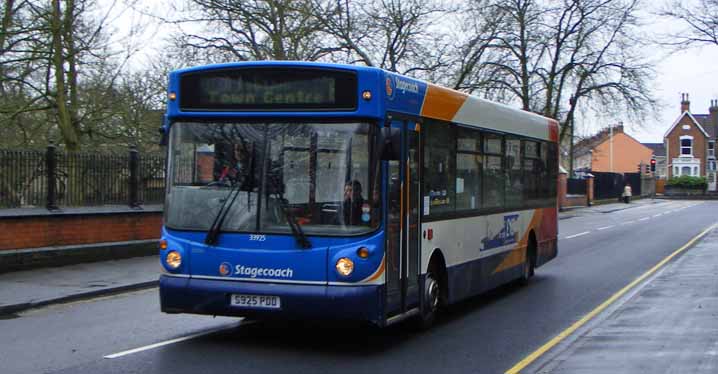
column 402, row 236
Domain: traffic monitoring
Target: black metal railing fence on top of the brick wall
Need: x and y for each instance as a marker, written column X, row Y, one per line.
column 53, row 179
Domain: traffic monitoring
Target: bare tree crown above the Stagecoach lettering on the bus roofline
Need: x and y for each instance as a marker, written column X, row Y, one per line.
column 404, row 36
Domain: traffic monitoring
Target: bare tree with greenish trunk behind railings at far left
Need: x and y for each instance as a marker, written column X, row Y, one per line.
column 49, row 52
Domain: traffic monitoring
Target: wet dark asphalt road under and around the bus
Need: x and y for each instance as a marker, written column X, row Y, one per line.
column 600, row 251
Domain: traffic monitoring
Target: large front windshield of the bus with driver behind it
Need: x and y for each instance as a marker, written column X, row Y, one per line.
column 319, row 174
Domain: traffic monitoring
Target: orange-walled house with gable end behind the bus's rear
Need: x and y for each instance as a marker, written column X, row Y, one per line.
column 611, row 150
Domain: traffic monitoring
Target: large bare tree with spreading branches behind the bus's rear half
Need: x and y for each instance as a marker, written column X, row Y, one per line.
column 554, row 57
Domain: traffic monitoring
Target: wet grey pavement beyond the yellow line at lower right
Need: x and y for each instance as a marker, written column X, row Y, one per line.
column 667, row 324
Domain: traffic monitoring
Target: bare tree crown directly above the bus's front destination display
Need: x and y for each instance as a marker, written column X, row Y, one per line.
column 251, row 30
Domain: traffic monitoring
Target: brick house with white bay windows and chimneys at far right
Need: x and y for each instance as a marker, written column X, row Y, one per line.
column 690, row 143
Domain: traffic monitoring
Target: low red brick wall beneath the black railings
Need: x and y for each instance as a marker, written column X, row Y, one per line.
column 64, row 230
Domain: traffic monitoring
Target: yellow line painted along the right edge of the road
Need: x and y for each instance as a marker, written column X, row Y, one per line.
column 565, row 333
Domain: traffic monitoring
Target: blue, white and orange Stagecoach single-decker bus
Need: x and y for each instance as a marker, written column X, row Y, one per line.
column 324, row 191
